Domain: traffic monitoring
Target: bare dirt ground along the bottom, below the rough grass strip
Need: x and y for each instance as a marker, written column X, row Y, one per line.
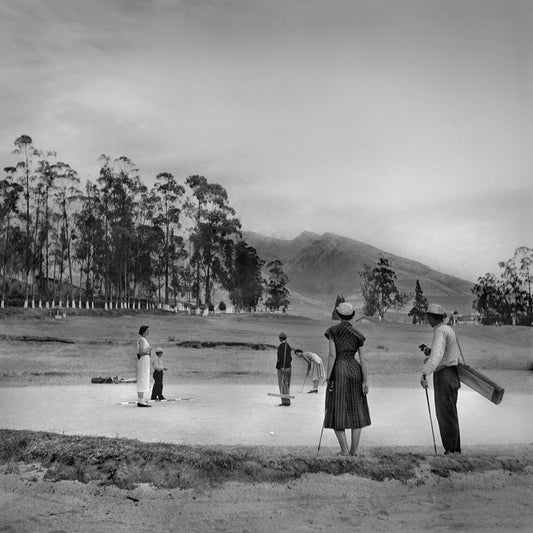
column 493, row 501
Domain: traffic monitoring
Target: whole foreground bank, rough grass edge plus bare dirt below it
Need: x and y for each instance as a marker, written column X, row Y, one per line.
column 86, row 484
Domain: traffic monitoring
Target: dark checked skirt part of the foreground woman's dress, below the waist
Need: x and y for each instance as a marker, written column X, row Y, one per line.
column 346, row 405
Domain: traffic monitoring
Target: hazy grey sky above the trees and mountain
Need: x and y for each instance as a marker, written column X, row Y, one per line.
column 406, row 124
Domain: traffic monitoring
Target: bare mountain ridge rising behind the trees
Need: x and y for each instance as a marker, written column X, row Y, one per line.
column 321, row 266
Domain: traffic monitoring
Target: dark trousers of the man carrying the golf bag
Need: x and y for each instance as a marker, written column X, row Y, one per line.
column 446, row 386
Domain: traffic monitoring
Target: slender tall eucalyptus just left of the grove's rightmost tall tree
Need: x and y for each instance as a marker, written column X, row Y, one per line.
column 170, row 193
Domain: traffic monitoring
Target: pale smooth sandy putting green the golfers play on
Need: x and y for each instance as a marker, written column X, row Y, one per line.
column 221, row 413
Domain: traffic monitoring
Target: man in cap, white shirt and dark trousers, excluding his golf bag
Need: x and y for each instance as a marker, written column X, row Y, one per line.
column 441, row 361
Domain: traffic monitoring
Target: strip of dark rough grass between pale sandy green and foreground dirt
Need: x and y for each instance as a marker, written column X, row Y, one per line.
column 127, row 463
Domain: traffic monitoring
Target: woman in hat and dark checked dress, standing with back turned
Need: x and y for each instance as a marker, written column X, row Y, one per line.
column 346, row 404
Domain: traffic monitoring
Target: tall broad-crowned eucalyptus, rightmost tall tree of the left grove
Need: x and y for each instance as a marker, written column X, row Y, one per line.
column 214, row 225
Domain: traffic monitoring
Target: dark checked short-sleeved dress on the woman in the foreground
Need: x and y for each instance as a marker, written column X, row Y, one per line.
column 346, row 405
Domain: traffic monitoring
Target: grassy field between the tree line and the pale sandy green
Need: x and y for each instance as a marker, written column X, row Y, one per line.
column 38, row 349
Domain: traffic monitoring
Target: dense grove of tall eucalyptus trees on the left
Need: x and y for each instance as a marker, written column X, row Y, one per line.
column 116, row 241
